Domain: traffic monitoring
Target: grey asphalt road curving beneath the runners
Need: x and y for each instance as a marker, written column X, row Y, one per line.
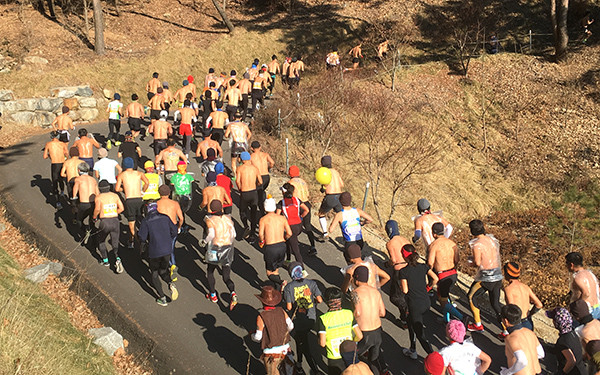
column 201, row 337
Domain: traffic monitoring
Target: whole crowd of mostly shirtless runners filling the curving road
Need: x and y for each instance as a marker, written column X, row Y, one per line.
column 155, row 194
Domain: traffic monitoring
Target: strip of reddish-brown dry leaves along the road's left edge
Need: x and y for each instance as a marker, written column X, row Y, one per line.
column 141, row 344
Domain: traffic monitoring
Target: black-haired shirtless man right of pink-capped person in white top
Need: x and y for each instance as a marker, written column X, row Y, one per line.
column 522, row 347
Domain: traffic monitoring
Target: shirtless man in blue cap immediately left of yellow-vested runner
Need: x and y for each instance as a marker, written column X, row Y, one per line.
column 132, row 182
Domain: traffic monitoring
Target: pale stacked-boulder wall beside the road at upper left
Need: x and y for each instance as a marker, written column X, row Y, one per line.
column 42, row 111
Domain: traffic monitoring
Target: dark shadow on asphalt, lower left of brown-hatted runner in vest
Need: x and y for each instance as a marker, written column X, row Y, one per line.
column 227, row 345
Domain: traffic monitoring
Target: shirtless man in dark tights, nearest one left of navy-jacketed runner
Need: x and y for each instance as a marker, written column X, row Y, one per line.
column 107, row 207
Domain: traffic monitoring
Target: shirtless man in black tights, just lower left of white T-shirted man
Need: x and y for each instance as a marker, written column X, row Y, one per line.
column 86, row 188
